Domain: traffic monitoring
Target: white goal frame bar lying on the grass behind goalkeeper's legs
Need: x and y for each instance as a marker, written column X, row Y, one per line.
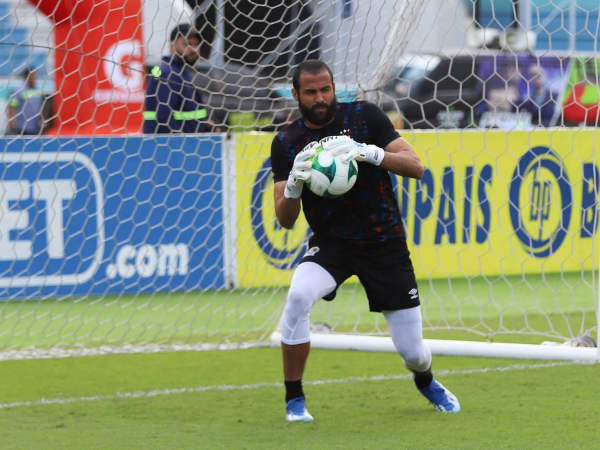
column 451, row 348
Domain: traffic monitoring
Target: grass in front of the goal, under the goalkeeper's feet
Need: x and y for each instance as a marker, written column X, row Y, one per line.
column 195, row 400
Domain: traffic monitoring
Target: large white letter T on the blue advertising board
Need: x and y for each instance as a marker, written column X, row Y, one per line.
column 54, row 193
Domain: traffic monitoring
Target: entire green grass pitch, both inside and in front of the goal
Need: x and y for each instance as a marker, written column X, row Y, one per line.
column 234, row 399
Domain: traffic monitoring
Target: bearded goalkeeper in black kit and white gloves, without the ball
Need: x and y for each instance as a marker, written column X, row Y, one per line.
column 359, row 234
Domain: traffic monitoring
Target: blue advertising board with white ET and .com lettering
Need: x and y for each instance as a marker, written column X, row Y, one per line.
column 94, row 216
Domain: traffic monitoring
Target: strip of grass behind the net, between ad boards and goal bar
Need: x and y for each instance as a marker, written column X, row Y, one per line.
column 555, row 305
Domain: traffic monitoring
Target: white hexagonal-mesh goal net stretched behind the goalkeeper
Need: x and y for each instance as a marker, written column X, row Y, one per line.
column 112, row 240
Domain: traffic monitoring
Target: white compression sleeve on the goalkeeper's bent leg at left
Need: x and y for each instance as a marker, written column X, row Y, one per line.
column 309, row 283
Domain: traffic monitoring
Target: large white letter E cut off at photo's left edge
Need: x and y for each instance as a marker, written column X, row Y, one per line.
column 13, row 220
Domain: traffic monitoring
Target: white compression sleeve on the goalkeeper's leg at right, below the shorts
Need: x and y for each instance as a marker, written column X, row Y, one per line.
column 406, row 328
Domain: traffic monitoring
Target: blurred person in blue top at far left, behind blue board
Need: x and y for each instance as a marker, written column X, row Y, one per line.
column 26, row 108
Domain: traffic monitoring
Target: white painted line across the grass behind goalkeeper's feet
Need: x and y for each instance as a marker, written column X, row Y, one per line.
column 231, row 387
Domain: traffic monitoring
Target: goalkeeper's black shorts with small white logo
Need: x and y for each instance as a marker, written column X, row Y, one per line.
column 383, row 268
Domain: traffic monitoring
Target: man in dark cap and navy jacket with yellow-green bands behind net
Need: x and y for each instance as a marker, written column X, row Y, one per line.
column 173, row 103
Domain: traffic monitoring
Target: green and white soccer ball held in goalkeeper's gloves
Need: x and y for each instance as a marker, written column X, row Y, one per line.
column 329, row 176
